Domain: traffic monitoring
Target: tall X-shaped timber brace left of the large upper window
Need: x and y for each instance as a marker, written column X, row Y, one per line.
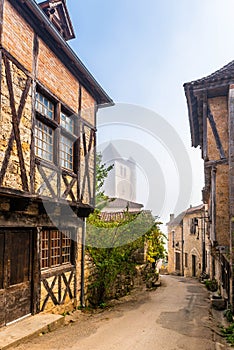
column 15, row 132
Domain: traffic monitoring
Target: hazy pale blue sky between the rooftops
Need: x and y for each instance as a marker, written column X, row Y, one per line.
column 141, row 53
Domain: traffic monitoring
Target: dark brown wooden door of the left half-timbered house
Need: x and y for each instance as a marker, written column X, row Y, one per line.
column 15, row 278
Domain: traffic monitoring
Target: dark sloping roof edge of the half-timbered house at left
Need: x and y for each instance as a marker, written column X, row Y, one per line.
column 41, row 24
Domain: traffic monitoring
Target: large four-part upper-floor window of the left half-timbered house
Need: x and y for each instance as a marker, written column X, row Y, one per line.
column 67, row 131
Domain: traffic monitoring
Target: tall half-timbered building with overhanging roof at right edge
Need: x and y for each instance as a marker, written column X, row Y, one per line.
column 211, row 114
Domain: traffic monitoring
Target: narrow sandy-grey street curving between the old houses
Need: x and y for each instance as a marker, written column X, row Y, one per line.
column 175, row 316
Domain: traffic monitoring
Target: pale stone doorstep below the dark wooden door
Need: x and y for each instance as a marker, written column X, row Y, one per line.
column 29, row 327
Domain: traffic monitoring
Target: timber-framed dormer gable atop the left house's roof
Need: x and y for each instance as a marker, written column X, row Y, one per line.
column 57, row 12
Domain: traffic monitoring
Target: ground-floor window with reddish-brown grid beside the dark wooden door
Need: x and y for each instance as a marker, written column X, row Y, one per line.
column 56, row 248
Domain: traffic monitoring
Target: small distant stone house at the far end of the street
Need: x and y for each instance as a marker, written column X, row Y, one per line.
column 188, row 243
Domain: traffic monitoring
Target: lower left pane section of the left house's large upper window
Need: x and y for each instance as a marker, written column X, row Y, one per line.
column 44, row 138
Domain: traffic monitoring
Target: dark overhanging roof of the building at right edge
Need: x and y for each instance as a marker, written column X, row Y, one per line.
column 215, row 84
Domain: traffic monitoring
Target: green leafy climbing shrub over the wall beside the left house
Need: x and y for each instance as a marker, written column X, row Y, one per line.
column 112, row 244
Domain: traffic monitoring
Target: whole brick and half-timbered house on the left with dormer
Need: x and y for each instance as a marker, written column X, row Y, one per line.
column 48, row 106
